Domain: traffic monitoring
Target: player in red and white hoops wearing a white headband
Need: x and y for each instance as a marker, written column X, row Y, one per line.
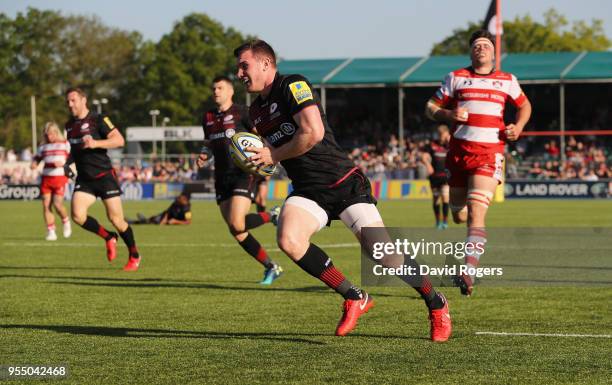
column 472, row 101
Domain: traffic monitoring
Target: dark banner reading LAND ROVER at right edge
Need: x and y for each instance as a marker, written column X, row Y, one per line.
column 547, row 189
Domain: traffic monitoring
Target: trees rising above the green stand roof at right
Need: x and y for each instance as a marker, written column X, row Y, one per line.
column 523, row 34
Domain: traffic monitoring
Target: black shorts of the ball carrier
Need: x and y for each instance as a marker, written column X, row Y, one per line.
column 334, row 200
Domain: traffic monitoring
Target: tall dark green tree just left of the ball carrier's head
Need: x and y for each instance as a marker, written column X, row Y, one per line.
column 176, row 74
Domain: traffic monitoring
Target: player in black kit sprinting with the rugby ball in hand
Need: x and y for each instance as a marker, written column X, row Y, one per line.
column 326, row 184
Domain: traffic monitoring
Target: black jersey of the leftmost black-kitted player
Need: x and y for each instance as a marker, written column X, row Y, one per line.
column 90, row 163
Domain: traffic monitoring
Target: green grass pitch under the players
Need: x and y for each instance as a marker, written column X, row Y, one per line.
column 194, row 313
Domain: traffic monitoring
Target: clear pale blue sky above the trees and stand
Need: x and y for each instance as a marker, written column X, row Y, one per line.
column 322, row 28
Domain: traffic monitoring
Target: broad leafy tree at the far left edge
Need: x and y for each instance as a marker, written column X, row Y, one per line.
column 43, row 52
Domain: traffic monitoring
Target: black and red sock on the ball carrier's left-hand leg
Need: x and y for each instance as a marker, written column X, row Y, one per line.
column 316, row 263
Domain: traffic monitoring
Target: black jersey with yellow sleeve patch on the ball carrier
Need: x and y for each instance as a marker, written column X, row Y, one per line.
column 326, row 162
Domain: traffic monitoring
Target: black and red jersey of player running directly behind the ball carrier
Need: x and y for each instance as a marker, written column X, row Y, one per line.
column 219, row 127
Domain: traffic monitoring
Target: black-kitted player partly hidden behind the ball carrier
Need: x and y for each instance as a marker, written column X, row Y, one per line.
column 234, row 187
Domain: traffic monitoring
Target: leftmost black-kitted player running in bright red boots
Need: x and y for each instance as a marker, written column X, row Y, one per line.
column 90, row 135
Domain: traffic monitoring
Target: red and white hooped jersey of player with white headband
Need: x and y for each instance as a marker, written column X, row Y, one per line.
column 485, row 97
